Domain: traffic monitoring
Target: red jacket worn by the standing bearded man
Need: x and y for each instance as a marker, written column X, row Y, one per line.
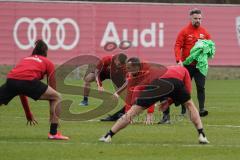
column 186, row 39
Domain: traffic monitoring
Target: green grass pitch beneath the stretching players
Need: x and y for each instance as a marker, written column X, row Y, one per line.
column 177, row 141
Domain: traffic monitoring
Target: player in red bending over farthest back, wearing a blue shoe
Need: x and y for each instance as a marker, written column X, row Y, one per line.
column 105, row 69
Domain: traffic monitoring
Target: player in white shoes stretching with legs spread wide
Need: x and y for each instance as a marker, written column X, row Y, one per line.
column 169, row 86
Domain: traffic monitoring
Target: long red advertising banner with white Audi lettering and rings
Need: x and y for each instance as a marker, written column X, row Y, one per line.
column 73, row 29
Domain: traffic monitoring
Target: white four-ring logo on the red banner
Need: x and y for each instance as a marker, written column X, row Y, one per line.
column 46, row 33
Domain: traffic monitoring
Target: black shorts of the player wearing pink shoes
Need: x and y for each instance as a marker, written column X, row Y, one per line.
column 13, row 87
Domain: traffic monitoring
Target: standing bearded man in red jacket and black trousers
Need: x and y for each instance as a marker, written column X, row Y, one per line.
column 186, row 39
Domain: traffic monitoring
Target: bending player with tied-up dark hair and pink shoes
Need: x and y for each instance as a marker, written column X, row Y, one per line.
column 24, row 80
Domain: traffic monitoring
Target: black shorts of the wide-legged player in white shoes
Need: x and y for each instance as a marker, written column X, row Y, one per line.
column 161, row 89
